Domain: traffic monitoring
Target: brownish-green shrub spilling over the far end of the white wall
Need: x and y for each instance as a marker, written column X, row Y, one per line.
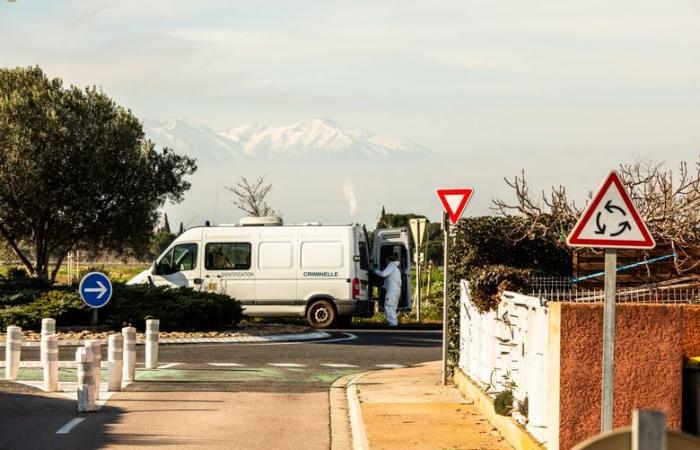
column 486, row 284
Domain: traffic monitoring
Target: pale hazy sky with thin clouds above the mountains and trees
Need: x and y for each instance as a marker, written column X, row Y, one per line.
column 552, row 87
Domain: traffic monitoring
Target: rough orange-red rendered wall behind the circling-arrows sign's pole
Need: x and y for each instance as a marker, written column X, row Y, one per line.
column 650, row 341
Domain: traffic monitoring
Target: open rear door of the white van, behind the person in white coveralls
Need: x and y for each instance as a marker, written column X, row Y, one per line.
column 394, row 241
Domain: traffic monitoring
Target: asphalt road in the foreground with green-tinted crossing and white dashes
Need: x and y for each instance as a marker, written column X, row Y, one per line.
column 216, row 395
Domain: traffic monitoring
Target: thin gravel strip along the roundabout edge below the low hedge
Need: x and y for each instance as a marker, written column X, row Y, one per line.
column 252, row 329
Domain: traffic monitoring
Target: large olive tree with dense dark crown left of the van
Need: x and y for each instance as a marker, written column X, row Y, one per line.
column 76, row 170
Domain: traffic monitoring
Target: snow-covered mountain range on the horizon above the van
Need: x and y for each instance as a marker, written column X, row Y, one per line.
column 315, row 138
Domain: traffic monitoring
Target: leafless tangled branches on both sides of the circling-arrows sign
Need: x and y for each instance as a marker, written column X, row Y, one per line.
column 668, row 201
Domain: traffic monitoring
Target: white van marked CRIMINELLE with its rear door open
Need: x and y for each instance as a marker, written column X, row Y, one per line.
column 321, row 272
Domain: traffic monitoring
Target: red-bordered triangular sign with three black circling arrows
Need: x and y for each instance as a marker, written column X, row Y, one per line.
column 611, row 220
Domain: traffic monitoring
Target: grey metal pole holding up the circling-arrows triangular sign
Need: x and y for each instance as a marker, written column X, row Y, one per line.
column 609, row 340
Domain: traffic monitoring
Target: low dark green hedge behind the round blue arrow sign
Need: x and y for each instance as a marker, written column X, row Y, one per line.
column 24, row 304
